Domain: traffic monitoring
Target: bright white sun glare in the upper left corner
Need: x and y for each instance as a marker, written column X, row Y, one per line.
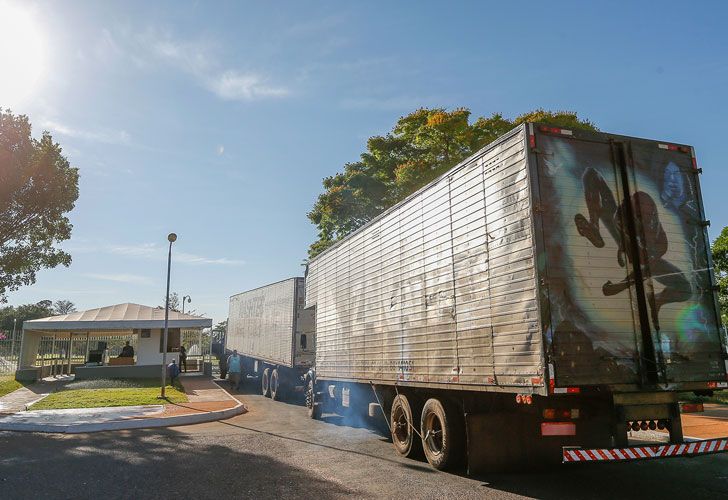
column 21, row 55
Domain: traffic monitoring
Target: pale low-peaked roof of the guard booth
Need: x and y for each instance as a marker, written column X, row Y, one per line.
column 117, row 317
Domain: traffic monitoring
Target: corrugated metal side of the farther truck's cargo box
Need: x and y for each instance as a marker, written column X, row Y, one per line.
column 261, row 322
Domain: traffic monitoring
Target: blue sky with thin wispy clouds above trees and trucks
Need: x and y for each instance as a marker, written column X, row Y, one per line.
column 218, row 120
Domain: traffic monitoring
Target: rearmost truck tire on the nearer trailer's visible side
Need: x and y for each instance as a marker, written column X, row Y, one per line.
column 443, row 435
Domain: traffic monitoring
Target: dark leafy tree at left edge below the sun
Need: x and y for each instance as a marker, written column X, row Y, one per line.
column 37, row 188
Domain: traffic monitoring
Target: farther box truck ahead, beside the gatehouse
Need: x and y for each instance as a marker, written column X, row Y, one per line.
column 269, row 327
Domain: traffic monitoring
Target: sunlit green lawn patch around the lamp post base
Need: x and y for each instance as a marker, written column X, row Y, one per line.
column 110, row 392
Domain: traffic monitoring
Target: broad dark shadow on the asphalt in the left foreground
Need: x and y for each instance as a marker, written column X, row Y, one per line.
column 149, row 463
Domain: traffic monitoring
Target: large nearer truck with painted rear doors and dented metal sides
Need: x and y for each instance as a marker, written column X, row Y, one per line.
column 545, row 299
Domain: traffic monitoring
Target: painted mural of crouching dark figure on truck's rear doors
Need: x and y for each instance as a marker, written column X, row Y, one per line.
column 604, row 245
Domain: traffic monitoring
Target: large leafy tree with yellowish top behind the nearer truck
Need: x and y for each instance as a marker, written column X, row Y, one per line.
column 422, row 146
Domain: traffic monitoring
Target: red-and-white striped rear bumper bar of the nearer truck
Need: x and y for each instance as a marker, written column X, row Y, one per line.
column 706, row 447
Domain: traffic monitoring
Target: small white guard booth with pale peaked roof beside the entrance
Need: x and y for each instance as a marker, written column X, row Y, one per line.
column 89, row 343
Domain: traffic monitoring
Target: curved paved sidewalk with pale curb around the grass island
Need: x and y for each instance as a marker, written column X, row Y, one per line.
column 207, row 402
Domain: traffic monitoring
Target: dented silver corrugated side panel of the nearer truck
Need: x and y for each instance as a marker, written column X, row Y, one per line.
column 441, row 288
